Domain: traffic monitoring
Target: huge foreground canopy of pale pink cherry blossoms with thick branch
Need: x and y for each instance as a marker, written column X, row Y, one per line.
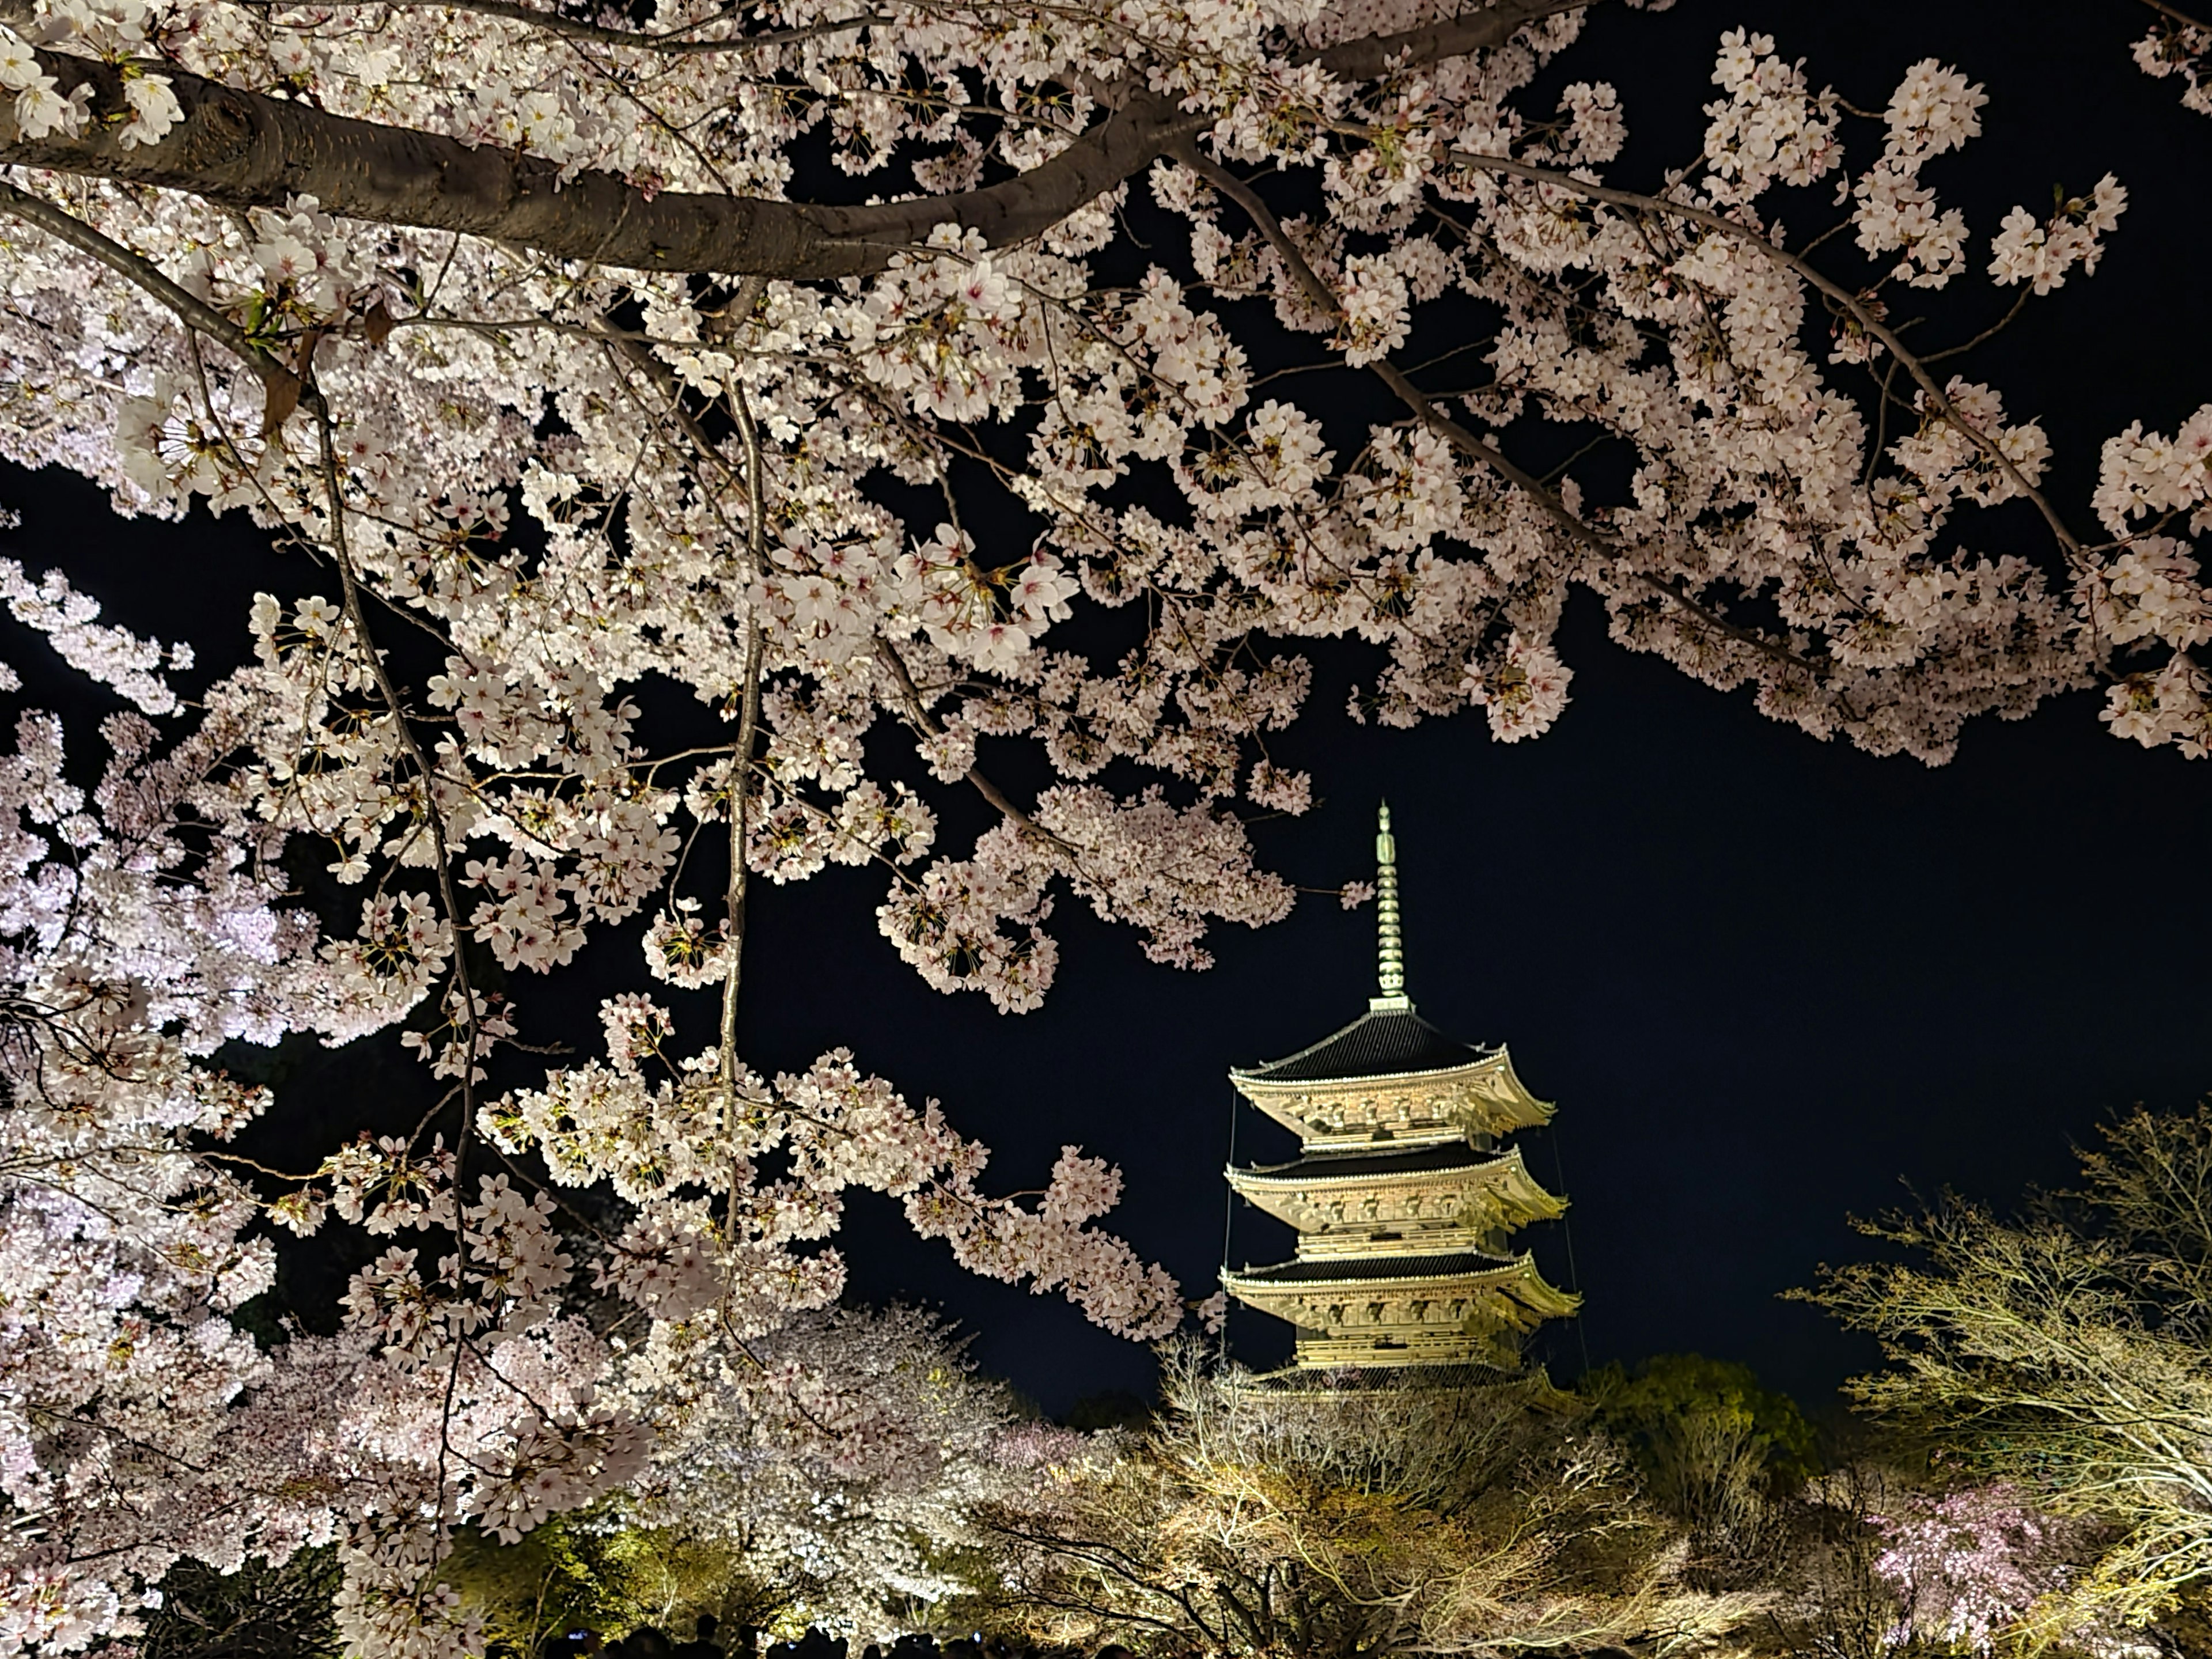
column 789, row 368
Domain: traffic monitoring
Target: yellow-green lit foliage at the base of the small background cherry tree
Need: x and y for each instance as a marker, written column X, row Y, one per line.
column 587, row 1572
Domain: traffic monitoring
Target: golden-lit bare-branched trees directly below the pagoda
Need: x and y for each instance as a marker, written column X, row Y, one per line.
column 1255, row 1521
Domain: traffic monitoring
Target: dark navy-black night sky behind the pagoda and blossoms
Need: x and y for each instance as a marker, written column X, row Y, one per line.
column 1764, row 979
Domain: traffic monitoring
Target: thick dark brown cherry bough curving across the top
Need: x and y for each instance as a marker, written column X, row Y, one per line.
column 253, row 152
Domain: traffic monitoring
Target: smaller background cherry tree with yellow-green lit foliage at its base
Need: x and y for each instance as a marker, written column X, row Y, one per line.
column 831, row 1490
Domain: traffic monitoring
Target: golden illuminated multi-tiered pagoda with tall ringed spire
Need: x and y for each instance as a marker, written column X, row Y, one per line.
column 1406, row 1191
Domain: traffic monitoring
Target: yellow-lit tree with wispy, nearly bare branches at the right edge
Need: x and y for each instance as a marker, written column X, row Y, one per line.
column 2060, row 1359
